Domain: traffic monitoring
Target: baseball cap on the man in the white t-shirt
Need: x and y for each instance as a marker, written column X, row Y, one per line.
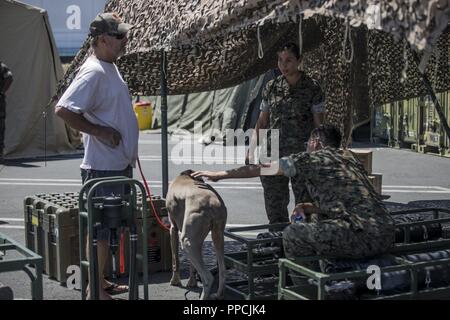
column 109, row 23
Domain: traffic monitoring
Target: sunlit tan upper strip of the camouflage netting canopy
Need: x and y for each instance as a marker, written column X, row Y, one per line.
column 175, row 23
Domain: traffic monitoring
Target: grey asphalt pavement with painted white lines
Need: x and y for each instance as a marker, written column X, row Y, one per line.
column 408, row 177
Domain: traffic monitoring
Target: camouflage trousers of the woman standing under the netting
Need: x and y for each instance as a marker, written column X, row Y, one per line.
column 276, row 196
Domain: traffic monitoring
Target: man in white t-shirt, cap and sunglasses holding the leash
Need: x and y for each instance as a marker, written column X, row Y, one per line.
column 98, row 104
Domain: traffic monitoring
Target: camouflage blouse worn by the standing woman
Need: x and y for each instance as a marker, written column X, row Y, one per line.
column 291, row 110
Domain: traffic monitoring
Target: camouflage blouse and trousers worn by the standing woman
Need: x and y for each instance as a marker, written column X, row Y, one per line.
column 291, row 112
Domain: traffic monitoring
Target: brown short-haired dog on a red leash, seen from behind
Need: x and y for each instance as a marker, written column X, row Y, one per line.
column 195, row 208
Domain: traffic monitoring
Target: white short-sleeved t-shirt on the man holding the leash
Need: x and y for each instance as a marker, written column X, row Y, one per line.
column 100, row 94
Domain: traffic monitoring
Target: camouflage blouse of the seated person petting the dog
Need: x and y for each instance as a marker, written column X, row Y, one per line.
column 339, row 187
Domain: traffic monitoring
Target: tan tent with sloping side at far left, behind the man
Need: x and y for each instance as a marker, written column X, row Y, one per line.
column 28, row 48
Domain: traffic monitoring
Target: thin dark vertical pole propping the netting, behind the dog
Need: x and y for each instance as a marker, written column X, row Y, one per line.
column 164, row 151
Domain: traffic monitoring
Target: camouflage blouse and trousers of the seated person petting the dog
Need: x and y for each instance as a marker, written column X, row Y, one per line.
column 352, row 220
